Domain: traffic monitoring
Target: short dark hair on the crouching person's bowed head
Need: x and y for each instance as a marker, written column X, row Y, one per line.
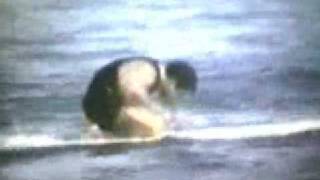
column 183, row 74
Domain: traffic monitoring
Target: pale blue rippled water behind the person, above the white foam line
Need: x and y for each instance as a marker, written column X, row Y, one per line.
column 258, row 61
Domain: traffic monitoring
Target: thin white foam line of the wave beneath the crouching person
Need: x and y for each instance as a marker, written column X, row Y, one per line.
column 212, row 133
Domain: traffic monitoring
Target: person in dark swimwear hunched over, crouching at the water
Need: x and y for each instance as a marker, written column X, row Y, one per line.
column 121, row 98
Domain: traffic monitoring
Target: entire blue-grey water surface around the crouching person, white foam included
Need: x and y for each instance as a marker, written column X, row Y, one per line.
column 259, row 69
